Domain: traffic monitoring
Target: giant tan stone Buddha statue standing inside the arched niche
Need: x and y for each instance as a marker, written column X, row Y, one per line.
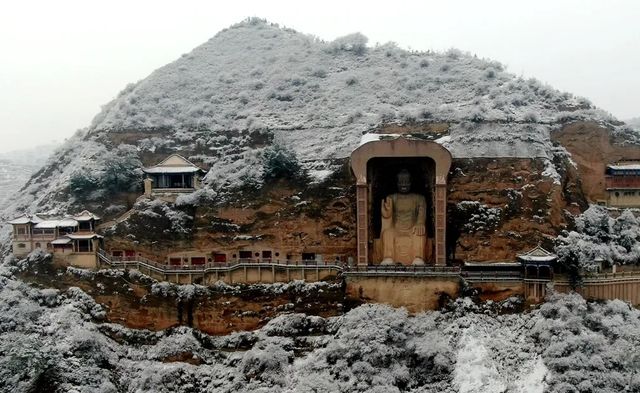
column 403, row 231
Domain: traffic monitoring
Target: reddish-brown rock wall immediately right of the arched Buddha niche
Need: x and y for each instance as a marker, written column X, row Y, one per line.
column 499, row 207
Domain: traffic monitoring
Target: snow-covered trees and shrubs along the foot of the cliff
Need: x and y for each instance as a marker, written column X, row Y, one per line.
column 58, row 341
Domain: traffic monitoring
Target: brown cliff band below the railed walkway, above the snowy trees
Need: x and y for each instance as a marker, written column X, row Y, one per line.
column 135, row 302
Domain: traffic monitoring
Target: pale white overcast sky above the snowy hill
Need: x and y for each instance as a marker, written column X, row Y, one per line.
column 61, row 60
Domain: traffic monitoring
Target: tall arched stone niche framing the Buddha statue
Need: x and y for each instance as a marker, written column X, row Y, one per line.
column 376, row 164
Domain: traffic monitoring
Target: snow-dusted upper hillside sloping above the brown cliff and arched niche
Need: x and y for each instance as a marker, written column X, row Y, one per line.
column 255, row 84
